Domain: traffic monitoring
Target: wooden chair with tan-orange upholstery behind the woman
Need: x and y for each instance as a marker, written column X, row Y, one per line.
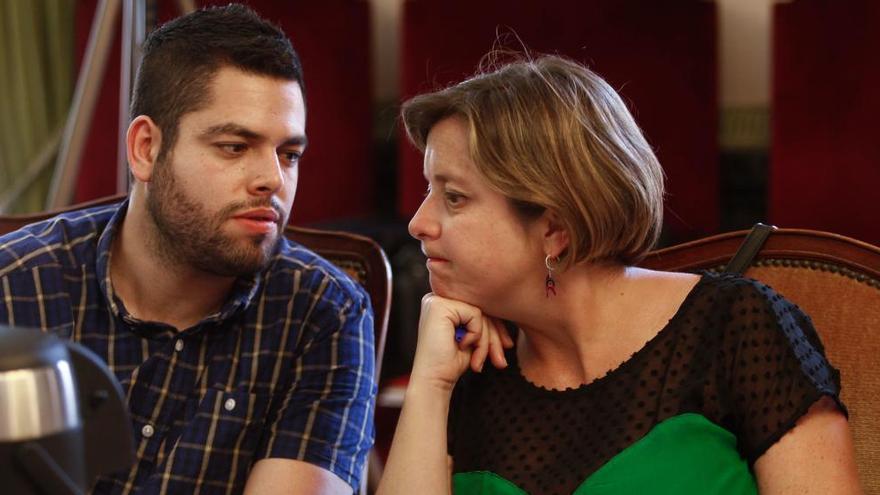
column 836, row 280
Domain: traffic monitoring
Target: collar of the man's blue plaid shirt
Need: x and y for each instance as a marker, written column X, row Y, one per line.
column 243, row 293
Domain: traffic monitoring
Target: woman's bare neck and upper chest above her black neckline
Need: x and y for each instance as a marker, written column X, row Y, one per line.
column 599, row 318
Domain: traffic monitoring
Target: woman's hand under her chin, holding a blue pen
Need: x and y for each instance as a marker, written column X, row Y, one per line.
column 440, row 360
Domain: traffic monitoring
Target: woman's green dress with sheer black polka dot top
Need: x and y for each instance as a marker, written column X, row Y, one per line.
column 690, row 412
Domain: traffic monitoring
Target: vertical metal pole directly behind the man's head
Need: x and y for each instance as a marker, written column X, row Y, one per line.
column 133, row 34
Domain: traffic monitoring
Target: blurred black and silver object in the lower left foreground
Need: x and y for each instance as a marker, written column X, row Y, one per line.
column 63, row 418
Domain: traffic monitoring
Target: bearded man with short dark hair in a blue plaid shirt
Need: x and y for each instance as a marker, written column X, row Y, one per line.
column 246, row 360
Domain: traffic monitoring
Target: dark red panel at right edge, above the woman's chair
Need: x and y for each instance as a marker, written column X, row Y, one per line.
column 825, row 157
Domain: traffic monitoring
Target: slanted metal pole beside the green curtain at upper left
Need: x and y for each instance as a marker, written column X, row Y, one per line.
column 85, row 96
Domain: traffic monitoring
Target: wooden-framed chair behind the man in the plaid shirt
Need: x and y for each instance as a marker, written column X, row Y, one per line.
column 360, row 257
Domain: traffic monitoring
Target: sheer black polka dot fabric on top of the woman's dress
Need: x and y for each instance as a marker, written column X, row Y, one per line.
column 735, row 352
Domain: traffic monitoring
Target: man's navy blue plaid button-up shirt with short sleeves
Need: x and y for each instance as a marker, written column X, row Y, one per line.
column 284, row 369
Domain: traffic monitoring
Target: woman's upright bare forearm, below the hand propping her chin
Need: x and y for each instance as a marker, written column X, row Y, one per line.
column 417, row 462
